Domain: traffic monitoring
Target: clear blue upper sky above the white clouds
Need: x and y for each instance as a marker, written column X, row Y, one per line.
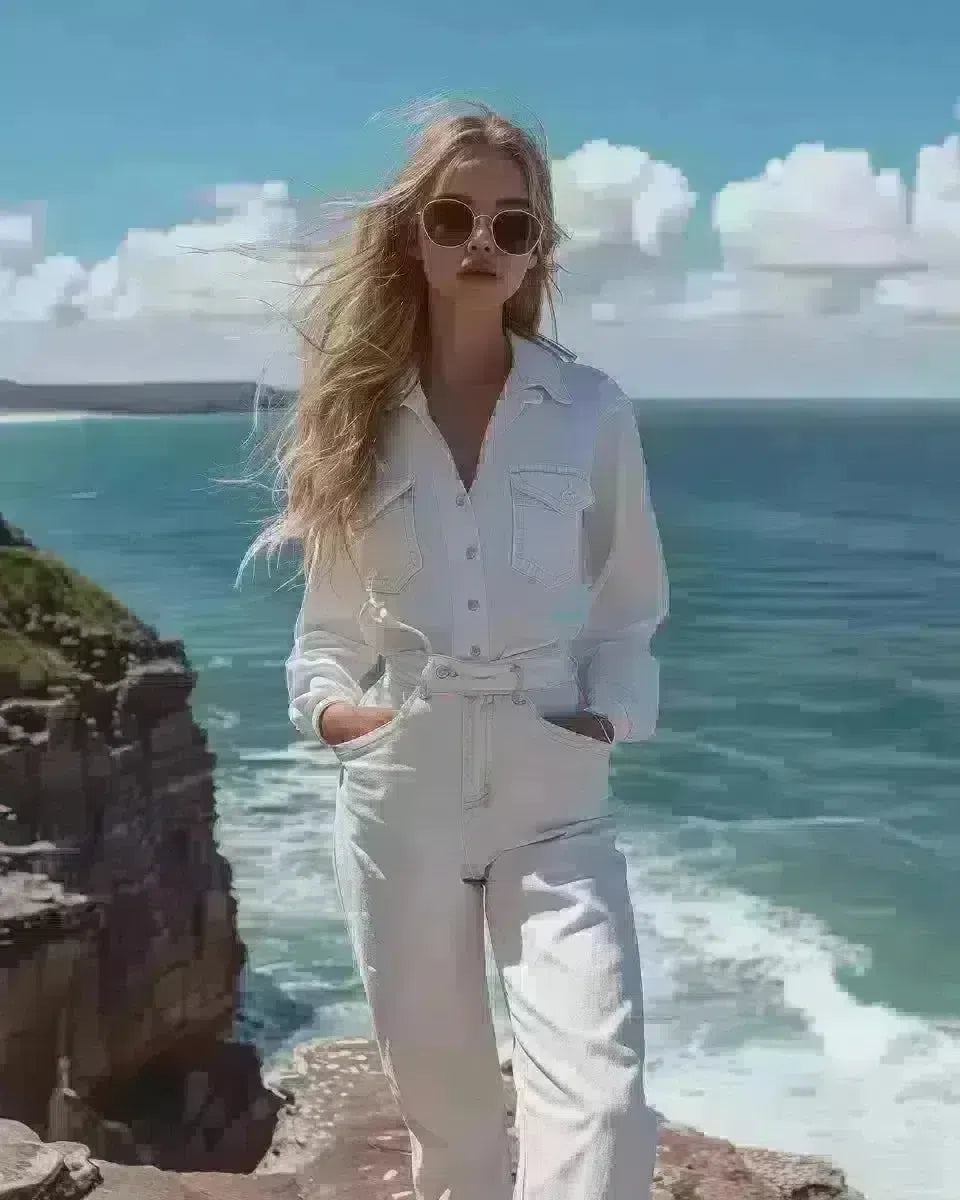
column 119, row 113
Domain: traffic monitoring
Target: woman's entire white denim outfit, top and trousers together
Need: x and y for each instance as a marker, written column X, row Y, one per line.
column 475, row 614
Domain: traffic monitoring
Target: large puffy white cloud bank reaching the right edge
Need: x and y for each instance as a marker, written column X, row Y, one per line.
column 825, row 232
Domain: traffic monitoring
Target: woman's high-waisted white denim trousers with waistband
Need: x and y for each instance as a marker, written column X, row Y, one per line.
column 469, row 806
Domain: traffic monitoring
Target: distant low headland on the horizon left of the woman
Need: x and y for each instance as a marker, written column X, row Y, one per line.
column 155, row 399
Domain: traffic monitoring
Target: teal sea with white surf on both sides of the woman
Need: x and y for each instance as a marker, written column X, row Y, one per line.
column 794, row 832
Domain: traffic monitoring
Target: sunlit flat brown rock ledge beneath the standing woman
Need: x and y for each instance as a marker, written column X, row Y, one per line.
column 340, row 1138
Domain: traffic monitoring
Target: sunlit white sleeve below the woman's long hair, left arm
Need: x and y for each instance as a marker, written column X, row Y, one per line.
column 329, row 656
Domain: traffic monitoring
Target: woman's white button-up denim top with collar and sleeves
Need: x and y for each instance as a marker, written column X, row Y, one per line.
column 555, row 543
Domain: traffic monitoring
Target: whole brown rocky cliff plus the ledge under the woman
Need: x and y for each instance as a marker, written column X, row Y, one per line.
column 121, row 959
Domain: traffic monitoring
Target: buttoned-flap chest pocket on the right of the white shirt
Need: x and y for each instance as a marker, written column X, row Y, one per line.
column 547, row 506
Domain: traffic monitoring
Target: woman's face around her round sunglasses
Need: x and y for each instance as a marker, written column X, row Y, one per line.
column 489, row 183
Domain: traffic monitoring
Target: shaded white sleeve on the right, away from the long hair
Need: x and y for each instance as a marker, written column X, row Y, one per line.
column 629, row 593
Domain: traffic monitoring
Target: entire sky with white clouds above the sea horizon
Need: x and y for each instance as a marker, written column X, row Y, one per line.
column 764, row 200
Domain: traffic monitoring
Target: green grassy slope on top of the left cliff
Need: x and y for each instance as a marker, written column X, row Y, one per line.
column 50, row 615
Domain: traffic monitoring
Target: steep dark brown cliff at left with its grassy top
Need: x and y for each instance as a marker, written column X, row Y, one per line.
column 119, row 953
